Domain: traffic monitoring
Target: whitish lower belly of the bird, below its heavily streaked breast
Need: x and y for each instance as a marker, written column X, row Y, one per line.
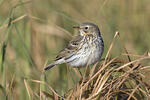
column 85, row 57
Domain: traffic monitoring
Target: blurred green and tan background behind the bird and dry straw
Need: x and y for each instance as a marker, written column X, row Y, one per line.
column 32, row 32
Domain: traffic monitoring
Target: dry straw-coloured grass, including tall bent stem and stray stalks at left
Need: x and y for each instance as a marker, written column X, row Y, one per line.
column 113, row 79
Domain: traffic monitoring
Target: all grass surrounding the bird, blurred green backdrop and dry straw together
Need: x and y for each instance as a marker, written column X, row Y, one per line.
column 33, row 32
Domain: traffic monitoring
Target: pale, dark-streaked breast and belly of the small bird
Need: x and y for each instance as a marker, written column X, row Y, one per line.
column 89, row 52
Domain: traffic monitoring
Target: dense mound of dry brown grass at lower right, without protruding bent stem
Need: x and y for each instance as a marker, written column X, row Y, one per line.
column 115, row 79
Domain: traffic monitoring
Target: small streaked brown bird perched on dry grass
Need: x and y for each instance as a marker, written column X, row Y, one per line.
column 84, row 49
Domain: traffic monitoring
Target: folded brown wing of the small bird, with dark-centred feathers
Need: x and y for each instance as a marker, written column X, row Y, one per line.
column 71, row 48
